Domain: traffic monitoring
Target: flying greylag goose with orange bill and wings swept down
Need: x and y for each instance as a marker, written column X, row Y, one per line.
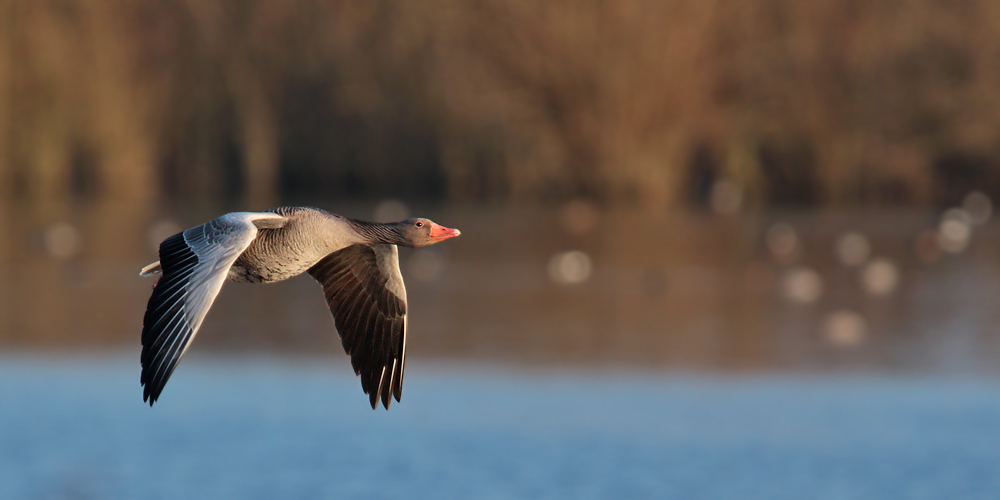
column 356, row 262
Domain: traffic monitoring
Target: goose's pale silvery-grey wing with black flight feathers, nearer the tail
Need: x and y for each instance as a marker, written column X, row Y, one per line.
column 194, row 265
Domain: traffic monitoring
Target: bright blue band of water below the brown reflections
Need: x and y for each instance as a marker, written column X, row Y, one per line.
column 247, row 429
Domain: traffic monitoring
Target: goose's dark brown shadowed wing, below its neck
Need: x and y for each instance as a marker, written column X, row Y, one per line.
column 365, row 291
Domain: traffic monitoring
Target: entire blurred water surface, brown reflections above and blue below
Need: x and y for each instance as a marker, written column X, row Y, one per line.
column 563, row 352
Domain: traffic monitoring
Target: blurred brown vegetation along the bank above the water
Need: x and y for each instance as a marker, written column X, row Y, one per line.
column 634, row 101
